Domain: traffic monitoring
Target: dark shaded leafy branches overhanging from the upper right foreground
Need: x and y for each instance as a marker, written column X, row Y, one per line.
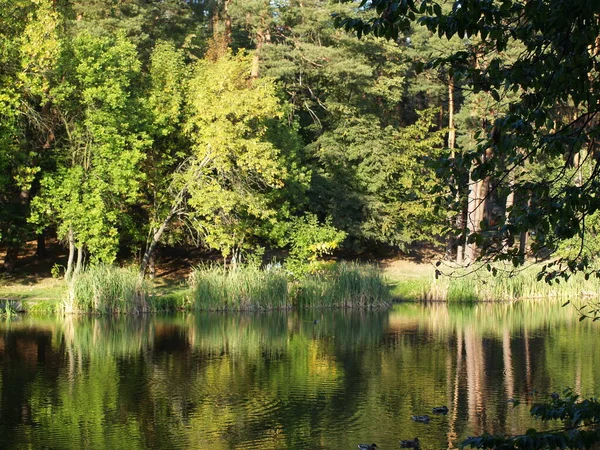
column 540, row 136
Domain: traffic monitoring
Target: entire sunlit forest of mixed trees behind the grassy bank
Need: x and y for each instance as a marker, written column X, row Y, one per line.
column 248, row 126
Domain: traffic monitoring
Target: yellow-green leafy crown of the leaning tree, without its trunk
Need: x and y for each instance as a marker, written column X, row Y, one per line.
column 234, row 167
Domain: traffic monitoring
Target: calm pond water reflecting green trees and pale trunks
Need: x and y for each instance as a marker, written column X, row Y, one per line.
column 221, row 381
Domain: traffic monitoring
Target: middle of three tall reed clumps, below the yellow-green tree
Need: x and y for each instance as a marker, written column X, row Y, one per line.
column 243, row 288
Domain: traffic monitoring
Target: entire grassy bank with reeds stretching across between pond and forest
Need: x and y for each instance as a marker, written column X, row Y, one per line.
column 115, row 290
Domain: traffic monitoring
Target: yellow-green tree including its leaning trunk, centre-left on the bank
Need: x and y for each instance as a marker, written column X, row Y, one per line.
column 226, row 188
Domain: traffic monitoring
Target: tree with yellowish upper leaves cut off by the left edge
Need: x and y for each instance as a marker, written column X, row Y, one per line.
column 28, row 54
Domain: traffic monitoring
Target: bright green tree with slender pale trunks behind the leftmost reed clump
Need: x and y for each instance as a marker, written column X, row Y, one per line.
column 98, row 162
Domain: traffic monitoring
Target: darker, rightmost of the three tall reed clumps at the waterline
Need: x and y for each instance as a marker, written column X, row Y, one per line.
column 346, row 285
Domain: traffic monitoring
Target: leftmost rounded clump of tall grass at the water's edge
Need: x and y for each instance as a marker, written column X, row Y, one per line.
column 106, row 289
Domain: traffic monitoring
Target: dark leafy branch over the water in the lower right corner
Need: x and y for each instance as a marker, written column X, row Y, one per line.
column 580, row 429
